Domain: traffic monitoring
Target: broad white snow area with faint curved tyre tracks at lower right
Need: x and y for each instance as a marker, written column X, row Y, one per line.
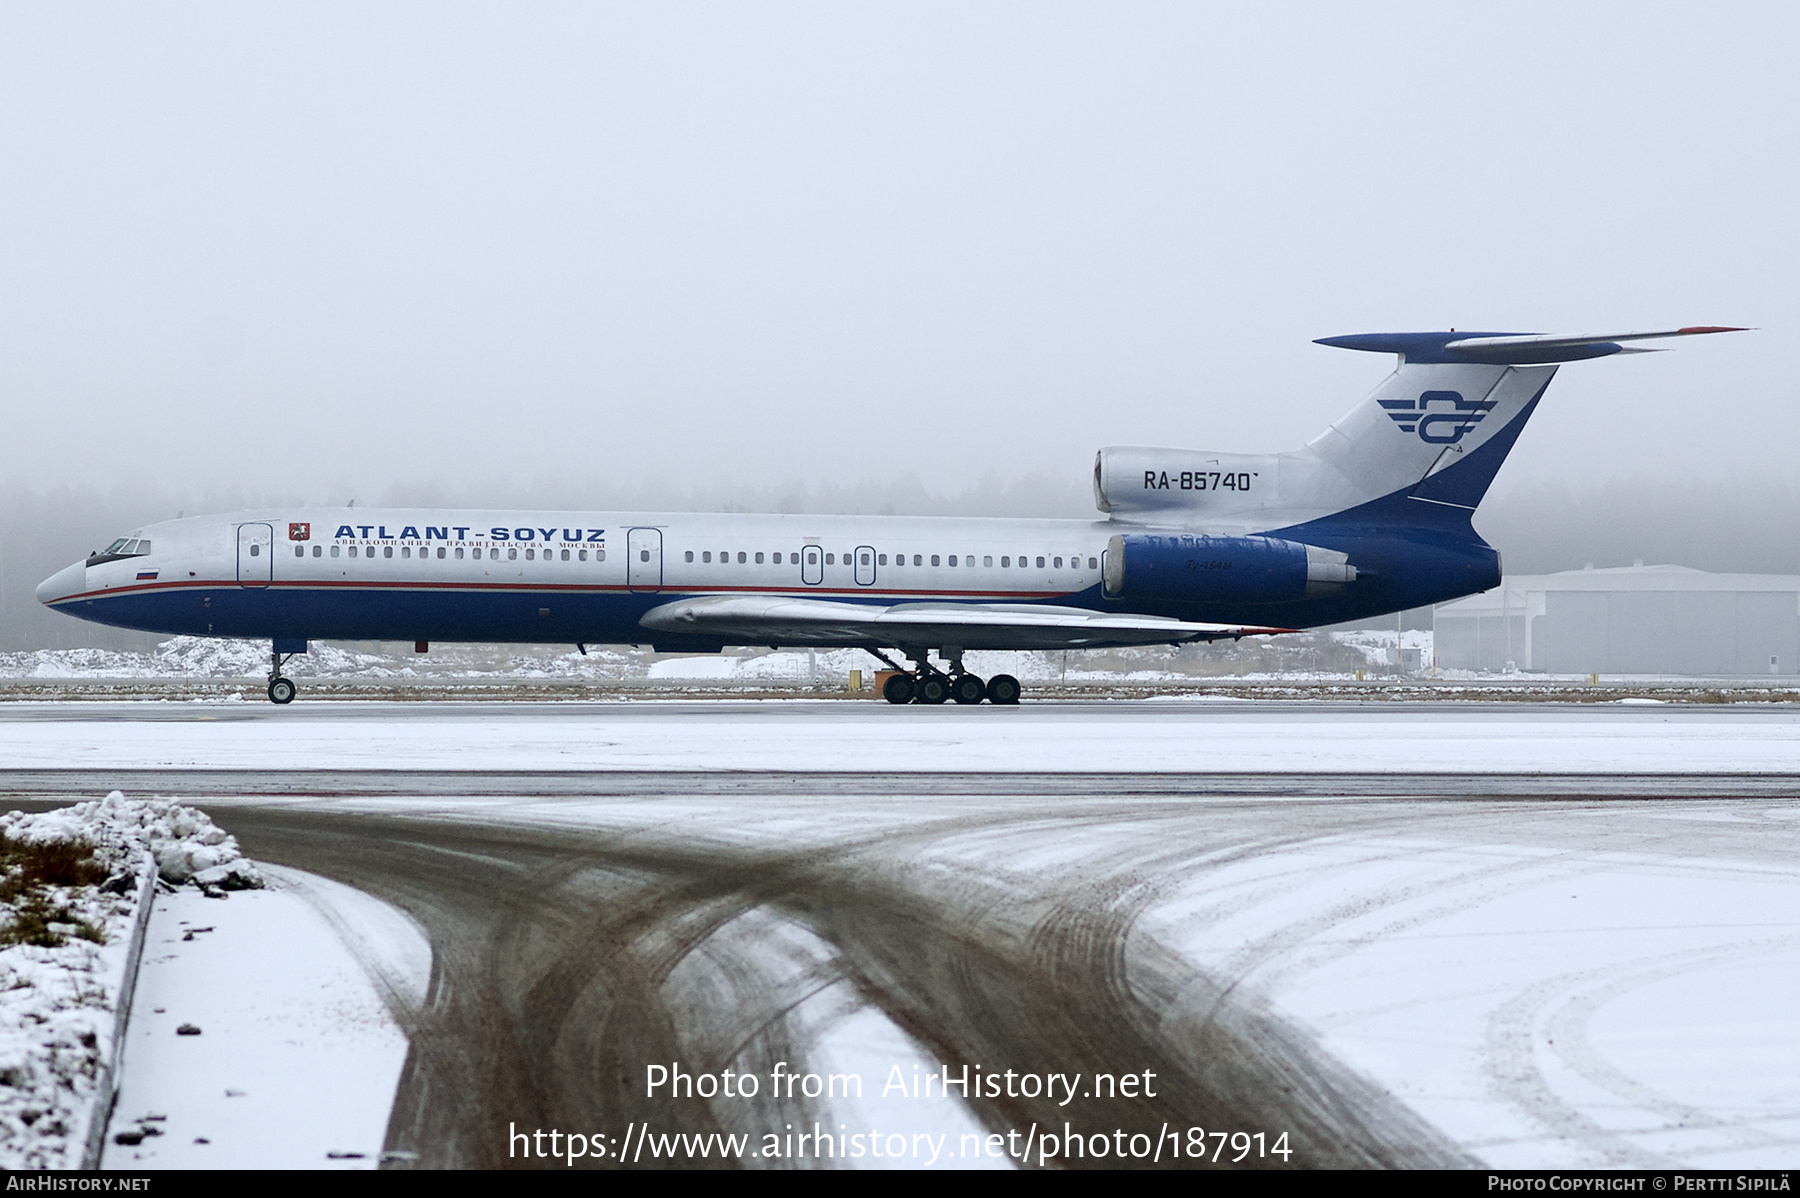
column 1547, row 1010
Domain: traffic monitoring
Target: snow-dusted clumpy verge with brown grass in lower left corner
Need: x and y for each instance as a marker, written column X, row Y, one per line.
column 67, row 907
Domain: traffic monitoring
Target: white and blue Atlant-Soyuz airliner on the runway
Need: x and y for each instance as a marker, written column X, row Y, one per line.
column 1371, row 517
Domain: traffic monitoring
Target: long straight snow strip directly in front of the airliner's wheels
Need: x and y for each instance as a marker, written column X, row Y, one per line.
column 1205, row 738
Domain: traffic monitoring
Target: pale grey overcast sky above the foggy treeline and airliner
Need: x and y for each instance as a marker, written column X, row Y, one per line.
column 321, row 251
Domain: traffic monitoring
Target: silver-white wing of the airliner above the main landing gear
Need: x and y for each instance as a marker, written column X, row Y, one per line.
column 789, row 621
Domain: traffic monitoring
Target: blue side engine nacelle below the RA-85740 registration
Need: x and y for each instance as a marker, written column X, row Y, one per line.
column 1228, row 569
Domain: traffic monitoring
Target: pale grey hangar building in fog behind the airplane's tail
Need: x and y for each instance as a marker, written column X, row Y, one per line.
column 1628, row 621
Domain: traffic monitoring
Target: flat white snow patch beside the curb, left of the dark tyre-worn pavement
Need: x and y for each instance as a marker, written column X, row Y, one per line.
column 294, row 992
